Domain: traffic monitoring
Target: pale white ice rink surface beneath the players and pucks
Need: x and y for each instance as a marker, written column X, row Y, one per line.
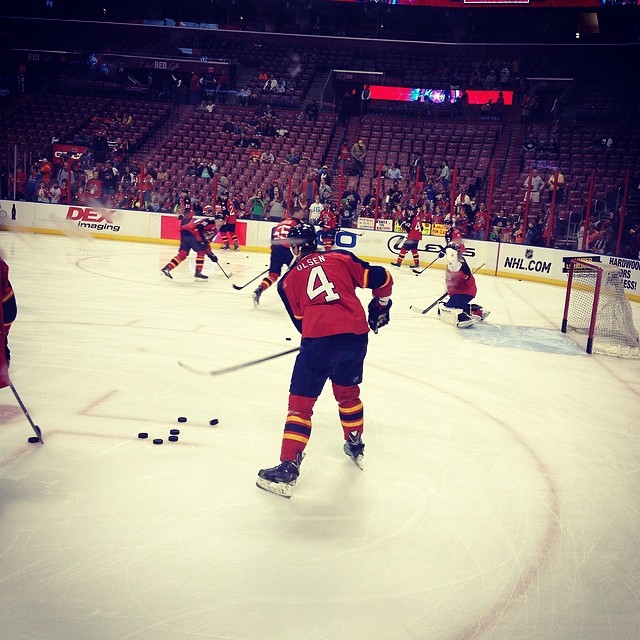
column 500, row 497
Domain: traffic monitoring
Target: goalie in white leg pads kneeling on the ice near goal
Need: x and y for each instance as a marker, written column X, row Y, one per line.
column 461, row 289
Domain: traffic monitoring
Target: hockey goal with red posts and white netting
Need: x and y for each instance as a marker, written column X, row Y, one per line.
column 596, row 307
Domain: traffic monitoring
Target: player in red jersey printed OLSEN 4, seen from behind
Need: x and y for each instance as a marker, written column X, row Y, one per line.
column 319, row 293
